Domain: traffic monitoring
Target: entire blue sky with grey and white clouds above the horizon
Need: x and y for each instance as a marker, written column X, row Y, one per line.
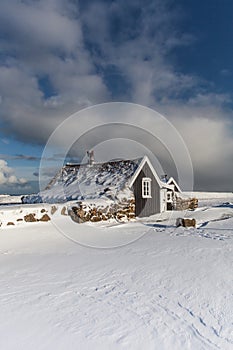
column 60, row 56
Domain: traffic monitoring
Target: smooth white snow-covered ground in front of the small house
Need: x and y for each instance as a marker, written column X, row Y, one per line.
column 171, row 288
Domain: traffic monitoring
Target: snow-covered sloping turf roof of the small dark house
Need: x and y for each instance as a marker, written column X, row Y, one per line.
column 82, row 181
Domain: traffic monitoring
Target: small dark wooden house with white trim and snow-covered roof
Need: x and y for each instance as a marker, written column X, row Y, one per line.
column 118, row 181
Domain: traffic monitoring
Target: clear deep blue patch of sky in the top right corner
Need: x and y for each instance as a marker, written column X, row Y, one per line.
column 211, row 57
